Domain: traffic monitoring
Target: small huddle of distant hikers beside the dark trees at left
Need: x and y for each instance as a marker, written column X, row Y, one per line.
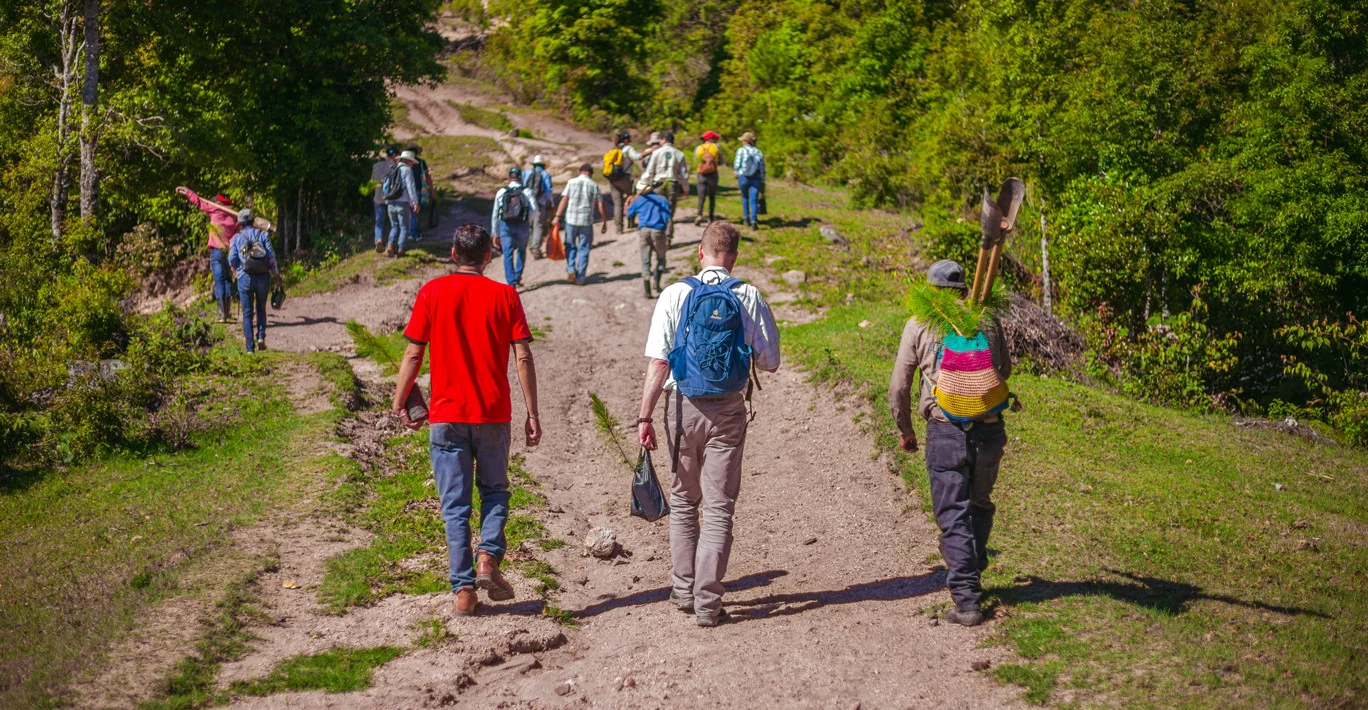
column 403, row 191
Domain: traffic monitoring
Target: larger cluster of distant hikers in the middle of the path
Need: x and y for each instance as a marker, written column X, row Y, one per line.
column 526, row 211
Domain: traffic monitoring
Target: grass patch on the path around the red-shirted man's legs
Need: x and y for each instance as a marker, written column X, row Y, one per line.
column 400, row 507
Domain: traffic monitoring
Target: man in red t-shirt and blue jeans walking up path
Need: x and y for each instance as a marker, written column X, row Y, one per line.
column 470, row 322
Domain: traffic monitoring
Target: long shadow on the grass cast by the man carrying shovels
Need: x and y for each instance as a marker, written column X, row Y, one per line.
column 1151, row 593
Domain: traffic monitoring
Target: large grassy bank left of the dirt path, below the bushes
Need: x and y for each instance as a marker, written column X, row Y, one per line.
column 91, row 548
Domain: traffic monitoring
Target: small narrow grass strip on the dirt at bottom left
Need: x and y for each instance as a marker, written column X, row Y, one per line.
column 334, row 671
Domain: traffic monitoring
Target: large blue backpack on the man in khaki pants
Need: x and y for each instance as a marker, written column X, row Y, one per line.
column 711, row 355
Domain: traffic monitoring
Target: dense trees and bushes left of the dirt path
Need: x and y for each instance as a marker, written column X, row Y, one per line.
column 274, row 103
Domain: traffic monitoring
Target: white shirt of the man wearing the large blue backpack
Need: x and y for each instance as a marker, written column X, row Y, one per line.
column 761, row 332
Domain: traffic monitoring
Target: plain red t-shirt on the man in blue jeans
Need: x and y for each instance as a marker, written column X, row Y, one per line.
column 469, row 322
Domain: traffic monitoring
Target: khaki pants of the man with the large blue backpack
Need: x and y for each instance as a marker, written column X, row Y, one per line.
column 707, row 485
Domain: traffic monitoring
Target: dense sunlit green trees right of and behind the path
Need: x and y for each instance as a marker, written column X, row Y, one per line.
column 1196, row 165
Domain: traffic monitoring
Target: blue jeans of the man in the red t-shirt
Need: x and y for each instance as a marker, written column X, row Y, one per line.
column 462, row 453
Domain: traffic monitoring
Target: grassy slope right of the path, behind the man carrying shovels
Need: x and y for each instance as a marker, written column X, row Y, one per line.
column 1144, row 557
